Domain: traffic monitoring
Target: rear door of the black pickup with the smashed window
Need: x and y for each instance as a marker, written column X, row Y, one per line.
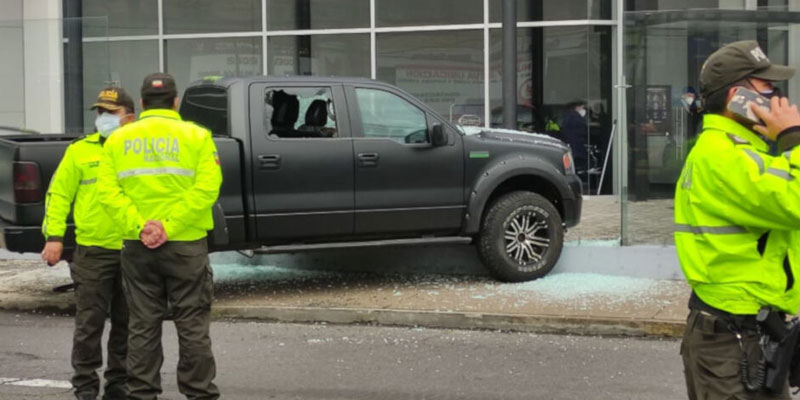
column 302, row 157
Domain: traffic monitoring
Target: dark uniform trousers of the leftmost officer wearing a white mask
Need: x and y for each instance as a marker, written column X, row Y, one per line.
column 98, row 295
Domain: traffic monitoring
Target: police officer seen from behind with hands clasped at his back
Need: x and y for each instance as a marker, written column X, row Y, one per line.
column 159, row 180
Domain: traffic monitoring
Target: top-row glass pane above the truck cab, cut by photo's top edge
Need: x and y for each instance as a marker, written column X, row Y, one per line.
column 317, row 14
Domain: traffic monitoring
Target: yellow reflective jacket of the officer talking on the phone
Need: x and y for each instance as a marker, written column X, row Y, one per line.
column 737, row 216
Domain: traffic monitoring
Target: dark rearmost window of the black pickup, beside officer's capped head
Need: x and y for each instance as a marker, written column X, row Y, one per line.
column 207, row 106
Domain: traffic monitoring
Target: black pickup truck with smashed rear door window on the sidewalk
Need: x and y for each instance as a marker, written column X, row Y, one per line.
column 316, row 163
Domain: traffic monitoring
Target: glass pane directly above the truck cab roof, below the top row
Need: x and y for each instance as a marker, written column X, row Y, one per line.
column 323, row 55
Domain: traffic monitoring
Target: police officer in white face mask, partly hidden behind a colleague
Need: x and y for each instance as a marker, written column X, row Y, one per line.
column 96, row 263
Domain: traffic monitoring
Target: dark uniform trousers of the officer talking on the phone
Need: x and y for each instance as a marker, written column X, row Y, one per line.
column 711, row 355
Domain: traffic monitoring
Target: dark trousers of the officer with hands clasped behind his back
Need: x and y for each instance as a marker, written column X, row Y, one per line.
column 178, row 274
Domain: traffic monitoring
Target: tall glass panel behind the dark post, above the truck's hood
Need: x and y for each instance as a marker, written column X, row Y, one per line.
column 561, row 70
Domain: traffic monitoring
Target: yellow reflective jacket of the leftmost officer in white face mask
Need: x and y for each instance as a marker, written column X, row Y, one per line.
column 75, row 180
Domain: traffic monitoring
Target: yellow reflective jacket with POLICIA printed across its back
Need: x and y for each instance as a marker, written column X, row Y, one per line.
column 161, row 168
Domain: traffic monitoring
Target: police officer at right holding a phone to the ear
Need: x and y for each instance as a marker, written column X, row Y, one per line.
column 737, row 215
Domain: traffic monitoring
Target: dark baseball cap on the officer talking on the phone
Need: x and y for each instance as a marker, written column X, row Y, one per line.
column 736, row 61
